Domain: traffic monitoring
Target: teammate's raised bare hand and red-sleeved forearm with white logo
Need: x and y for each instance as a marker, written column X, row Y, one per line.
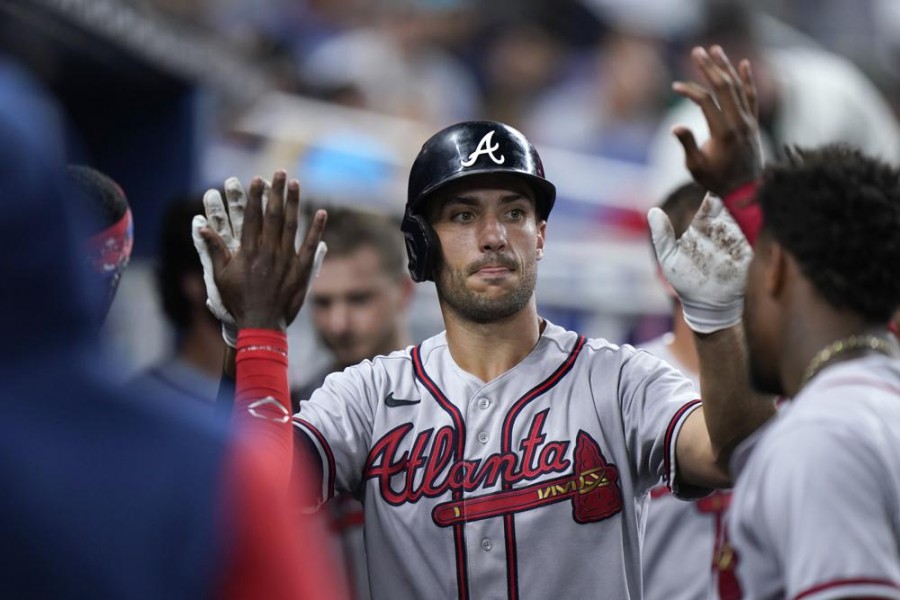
column 263, row 283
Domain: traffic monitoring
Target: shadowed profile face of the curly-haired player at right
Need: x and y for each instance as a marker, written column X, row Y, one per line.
column 761, row 323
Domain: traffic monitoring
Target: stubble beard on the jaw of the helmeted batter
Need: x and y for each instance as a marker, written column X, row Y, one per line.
column 478, row 308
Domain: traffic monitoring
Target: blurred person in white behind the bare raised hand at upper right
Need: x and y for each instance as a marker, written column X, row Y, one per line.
column 807, row 97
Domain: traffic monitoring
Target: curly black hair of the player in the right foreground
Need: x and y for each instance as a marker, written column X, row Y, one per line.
column 837, row 212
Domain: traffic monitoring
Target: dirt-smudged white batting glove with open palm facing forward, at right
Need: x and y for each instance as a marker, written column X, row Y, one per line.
column 707, row 265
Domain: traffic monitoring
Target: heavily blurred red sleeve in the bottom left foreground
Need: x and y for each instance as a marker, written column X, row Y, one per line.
column 274, row 551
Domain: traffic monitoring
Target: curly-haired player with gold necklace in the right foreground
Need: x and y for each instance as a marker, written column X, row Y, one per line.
column 814, row 510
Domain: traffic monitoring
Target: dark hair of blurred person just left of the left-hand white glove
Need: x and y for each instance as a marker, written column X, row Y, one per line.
column 177, row 258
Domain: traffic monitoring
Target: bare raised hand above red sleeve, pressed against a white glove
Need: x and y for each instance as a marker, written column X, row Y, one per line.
column 263, row 281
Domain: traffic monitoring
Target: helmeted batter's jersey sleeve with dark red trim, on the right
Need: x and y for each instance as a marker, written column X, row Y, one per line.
column 655, row 401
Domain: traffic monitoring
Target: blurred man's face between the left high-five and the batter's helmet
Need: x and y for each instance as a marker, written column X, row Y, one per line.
column 357, row 307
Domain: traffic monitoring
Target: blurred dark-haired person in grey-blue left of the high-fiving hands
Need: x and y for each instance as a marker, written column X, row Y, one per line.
column 192, row 373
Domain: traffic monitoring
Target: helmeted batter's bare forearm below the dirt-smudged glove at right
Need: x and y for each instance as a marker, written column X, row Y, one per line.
column 730, row 407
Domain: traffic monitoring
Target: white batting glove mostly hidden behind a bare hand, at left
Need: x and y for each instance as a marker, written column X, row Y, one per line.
column 229, row 226
